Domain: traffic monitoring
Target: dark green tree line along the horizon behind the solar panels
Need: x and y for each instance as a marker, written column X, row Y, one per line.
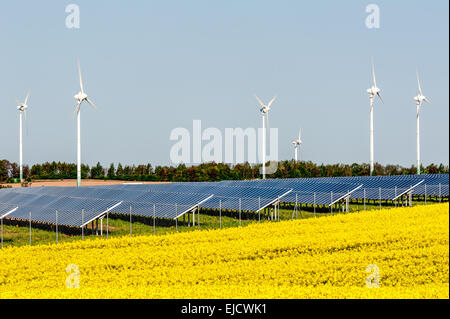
column 202, row 172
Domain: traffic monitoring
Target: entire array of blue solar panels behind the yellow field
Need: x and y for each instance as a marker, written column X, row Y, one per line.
column 174, row 200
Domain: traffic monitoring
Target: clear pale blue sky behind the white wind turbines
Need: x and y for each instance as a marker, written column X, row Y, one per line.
column 151, row 66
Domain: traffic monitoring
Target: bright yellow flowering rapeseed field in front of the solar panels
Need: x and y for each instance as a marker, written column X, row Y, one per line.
column 328, row 257
